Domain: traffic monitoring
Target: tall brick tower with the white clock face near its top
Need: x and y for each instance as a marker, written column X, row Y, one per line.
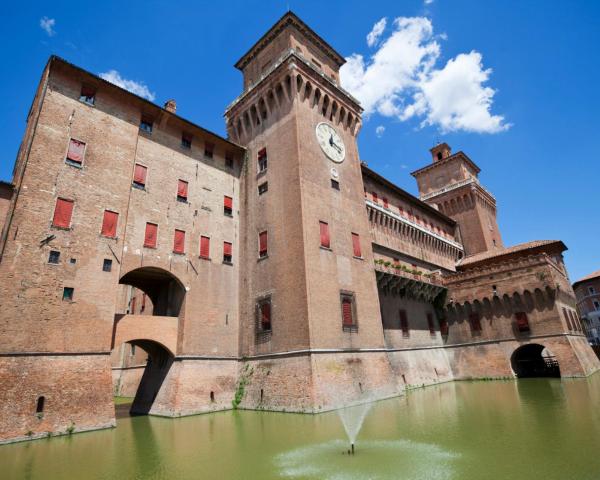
column 308, row 292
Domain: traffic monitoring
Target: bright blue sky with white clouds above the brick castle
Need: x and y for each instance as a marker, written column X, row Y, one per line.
column 536, row 142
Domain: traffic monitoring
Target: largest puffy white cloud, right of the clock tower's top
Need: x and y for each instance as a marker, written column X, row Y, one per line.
column 402, row 79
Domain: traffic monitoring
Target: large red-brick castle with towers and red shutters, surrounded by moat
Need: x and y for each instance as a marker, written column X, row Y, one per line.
column 272, row 268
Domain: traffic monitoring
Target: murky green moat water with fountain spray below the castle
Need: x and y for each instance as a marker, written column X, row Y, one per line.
column 526, row 429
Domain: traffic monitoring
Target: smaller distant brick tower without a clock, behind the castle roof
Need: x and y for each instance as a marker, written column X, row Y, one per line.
column 451, row 184
